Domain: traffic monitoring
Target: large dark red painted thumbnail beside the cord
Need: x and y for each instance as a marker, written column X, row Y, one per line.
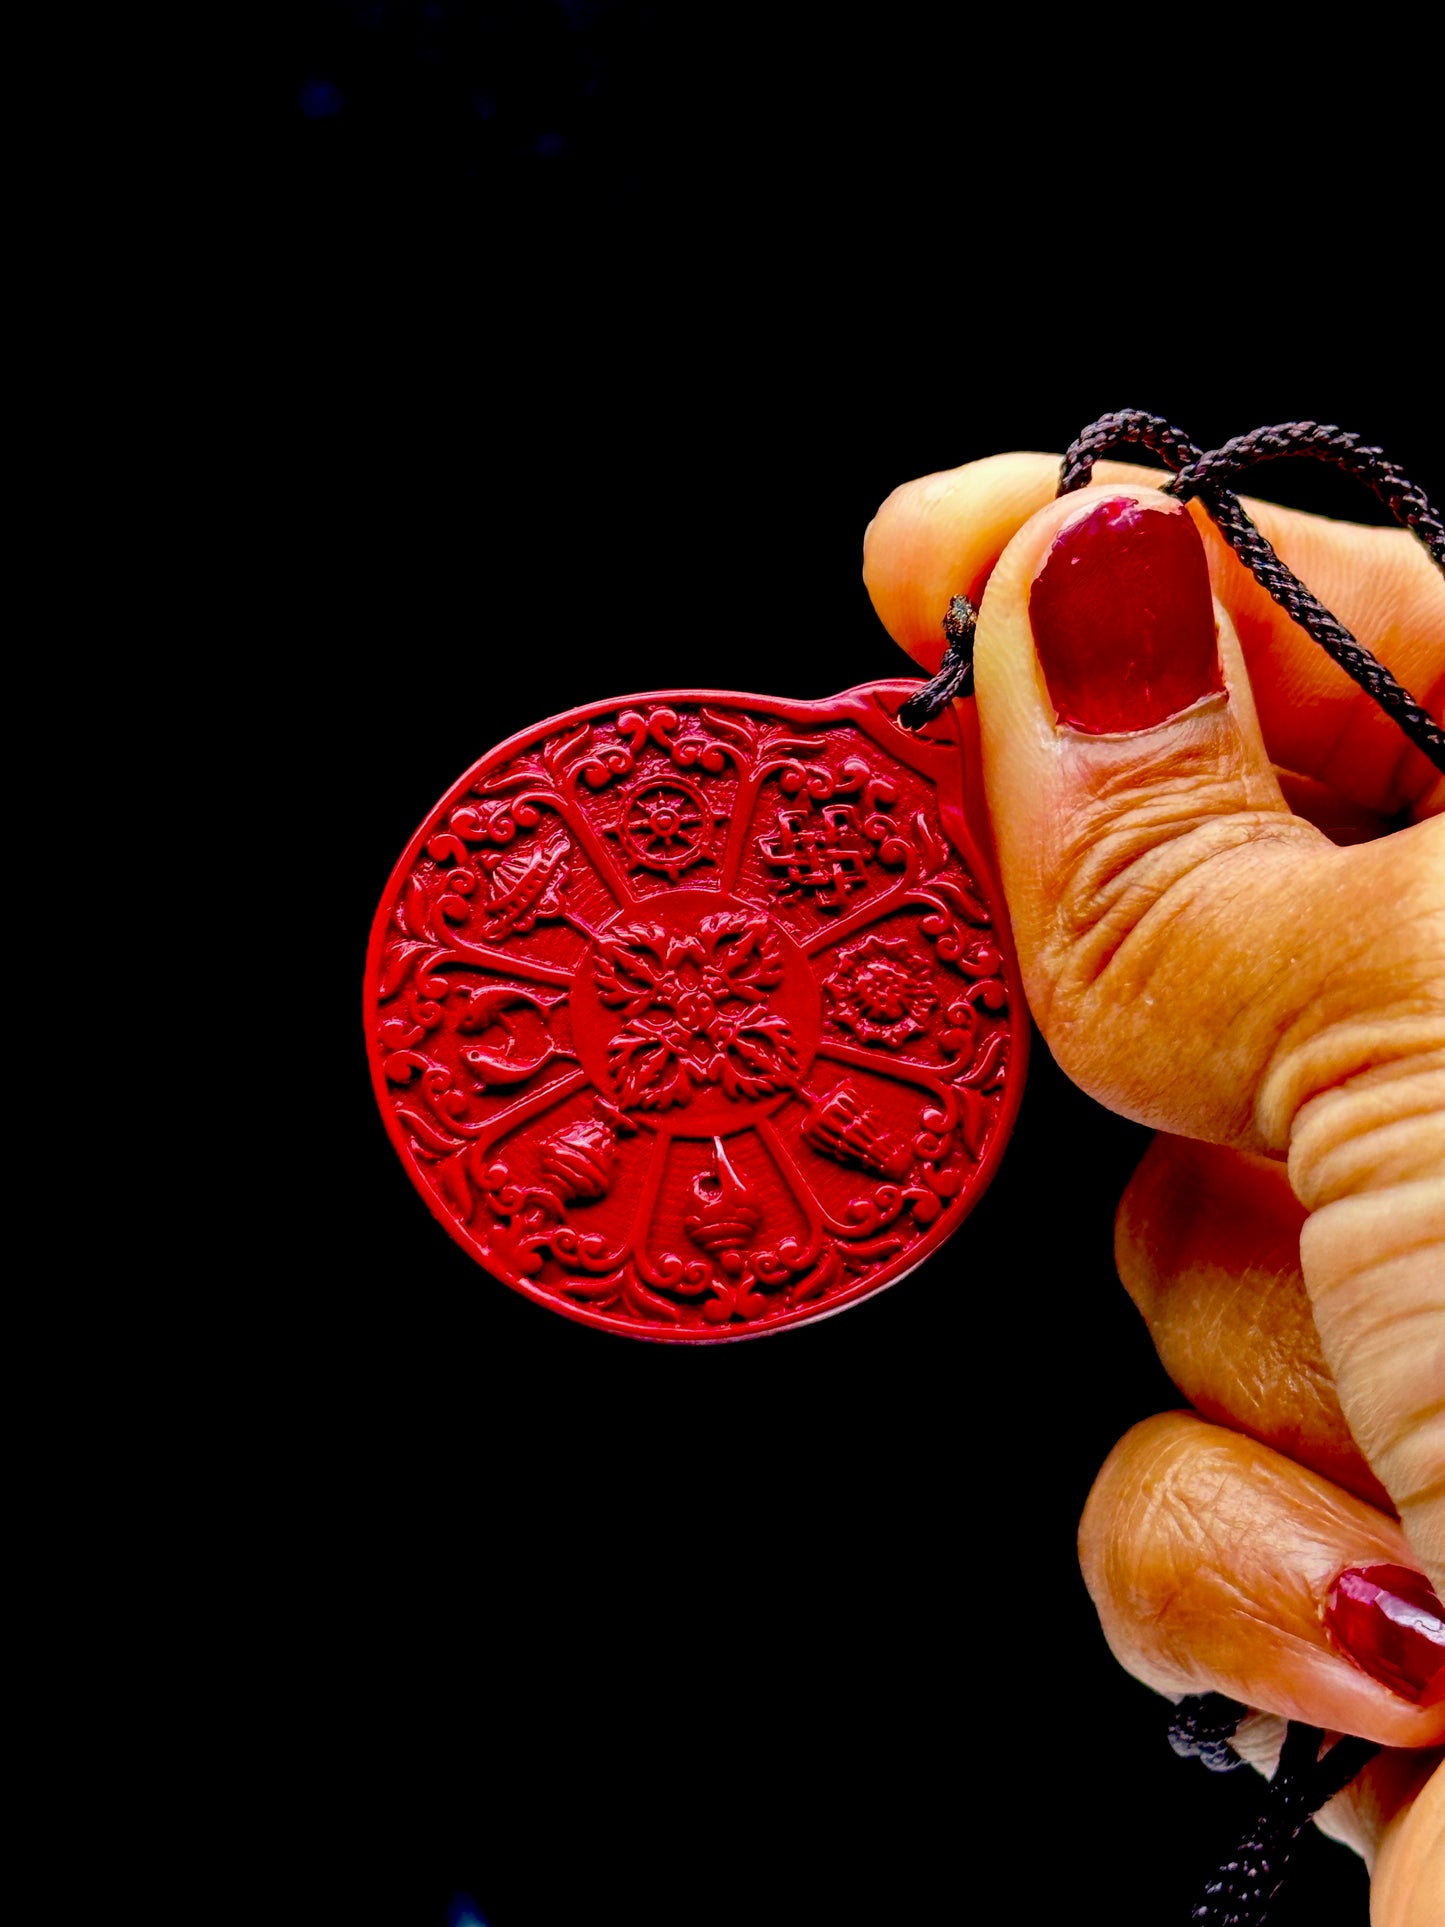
column 1122, row 620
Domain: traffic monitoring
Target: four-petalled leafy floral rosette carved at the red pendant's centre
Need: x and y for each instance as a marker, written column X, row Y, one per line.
column 695, row 1007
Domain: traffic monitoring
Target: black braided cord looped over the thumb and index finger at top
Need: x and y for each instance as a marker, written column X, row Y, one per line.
column 1205, row 477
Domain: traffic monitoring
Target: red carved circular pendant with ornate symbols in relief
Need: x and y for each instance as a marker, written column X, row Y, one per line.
column 695, row 1015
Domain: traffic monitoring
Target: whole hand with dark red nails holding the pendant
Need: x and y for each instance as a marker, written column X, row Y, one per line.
column 1203, row 959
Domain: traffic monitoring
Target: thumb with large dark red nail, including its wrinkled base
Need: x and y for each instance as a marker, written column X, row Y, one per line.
column 1207, row 963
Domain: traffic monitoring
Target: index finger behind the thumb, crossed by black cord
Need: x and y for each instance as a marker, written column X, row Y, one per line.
column 941, row 537
